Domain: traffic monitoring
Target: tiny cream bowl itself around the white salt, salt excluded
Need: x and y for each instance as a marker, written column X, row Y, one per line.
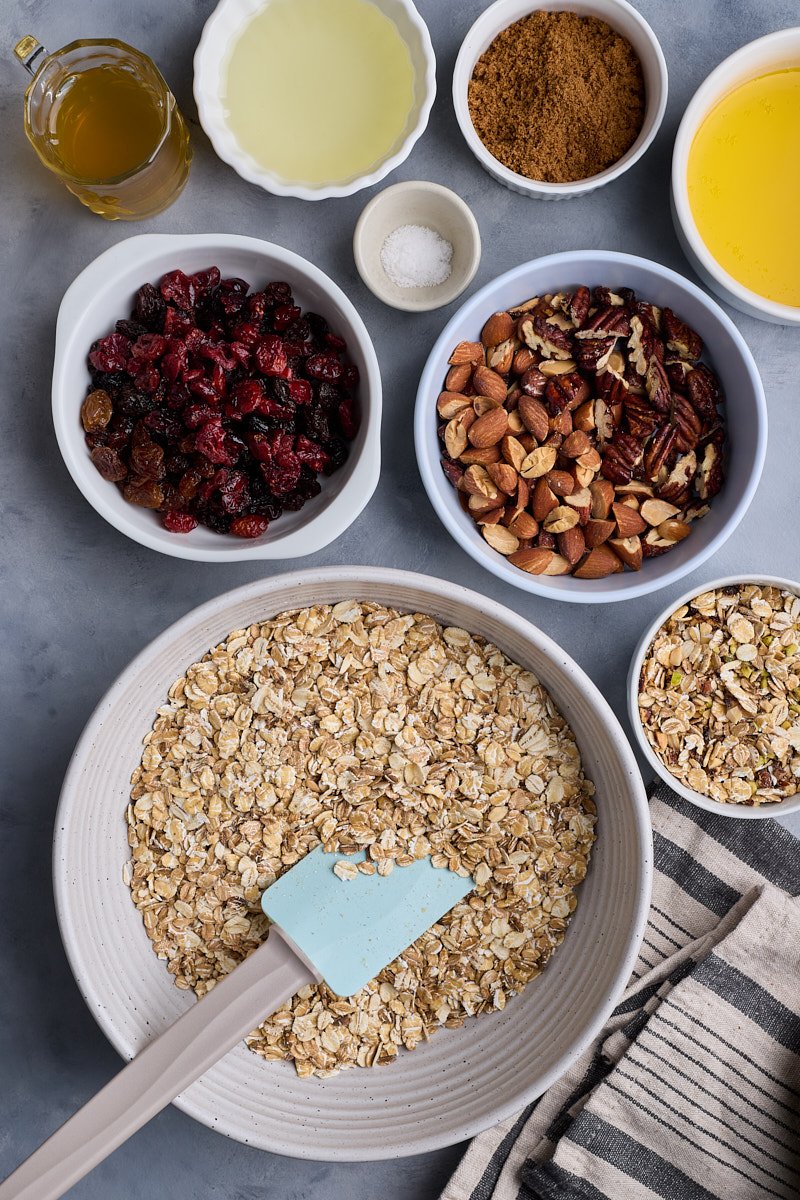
column 417, row 202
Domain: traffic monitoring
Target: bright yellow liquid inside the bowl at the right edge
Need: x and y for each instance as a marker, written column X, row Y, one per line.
column 744, row 184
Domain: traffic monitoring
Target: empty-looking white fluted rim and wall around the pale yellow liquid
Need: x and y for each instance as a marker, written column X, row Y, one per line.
column 210, row 63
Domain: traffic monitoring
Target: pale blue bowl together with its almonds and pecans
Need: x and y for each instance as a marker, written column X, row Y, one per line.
column 591, row 427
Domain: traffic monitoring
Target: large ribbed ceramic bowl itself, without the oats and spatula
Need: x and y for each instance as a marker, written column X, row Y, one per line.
column 461, row 1082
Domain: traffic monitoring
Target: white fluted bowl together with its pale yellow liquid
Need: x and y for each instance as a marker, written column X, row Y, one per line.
column 315, row 99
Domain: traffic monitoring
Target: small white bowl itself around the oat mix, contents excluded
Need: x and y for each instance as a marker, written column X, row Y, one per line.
column 784, row 808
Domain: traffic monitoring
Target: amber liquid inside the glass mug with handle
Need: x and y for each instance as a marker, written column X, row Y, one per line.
column 106, row 124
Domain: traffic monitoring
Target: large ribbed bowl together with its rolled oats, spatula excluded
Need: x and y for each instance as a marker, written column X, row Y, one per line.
column 315, row 657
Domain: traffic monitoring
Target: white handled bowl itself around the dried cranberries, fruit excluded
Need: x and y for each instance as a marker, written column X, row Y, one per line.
column 105, row 291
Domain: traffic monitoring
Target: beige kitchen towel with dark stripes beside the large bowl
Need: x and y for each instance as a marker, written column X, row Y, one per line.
column 693, row 1093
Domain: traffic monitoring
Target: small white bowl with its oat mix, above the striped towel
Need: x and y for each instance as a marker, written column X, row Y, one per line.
column 714, row 697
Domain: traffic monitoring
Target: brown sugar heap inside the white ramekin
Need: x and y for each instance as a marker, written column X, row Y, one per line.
column 557, row 97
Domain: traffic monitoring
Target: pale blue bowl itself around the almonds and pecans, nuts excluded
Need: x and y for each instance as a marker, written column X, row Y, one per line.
column 725, row 349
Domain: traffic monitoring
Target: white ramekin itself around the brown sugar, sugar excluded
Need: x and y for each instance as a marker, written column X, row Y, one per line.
column 624, row 20
